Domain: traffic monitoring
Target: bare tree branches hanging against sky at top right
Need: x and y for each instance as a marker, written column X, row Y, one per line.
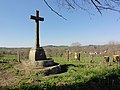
column 99, row 5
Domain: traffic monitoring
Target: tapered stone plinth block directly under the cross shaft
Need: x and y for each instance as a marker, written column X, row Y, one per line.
column 37, row 54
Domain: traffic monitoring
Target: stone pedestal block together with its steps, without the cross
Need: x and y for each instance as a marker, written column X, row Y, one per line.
column 38, row 60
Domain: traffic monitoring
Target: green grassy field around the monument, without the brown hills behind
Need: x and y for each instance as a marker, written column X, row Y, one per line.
column 75, row 75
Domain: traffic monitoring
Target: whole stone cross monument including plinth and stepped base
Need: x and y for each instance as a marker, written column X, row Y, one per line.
column 37, row 54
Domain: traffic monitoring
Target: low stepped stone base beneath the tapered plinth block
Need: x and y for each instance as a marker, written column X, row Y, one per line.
column 46, row 67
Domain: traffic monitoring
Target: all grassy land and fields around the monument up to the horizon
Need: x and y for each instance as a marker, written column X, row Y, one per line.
column 75, row 75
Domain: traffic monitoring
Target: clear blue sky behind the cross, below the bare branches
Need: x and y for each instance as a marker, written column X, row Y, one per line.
column 17, row 30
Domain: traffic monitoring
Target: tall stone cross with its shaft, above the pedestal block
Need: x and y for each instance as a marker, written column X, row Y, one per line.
column 37, row 19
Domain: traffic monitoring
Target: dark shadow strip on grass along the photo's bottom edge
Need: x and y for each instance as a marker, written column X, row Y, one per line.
column 111, row 82
